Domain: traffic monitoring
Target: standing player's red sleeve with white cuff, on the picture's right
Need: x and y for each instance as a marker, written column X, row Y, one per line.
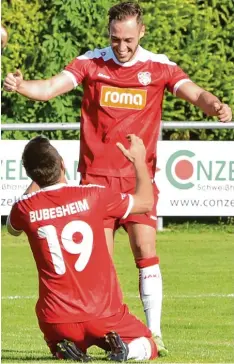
column 176, row 78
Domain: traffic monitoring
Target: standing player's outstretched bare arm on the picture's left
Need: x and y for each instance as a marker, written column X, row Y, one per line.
column 40, row 90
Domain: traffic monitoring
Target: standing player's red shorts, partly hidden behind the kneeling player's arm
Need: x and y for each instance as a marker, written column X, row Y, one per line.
column 124, row 185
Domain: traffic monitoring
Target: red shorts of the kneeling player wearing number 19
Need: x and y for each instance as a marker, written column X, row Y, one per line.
column 86, row 334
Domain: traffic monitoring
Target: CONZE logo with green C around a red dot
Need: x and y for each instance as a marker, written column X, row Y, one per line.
column 184, row 170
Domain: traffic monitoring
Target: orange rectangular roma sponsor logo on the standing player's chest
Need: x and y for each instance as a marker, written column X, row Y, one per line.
column 124, row 98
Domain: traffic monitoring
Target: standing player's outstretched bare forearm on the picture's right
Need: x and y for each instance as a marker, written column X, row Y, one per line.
column 206, row 101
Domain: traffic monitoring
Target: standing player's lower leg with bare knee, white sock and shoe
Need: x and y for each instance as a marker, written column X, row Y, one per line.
column 142, row 240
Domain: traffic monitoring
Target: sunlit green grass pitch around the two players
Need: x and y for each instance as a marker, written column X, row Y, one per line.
column 198, row 312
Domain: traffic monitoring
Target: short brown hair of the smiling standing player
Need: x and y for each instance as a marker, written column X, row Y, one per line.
column 125, row 9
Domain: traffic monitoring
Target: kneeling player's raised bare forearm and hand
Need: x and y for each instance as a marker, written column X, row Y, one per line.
column 143, row 197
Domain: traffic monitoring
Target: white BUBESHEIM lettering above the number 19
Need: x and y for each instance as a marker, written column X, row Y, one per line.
column 59, row 211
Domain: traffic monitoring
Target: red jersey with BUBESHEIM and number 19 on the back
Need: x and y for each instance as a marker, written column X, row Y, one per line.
column 64, row 225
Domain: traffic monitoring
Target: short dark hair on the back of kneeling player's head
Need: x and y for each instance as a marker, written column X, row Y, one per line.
column 42, row 161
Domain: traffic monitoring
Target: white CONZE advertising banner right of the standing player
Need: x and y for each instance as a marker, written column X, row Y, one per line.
column 195, row 178
